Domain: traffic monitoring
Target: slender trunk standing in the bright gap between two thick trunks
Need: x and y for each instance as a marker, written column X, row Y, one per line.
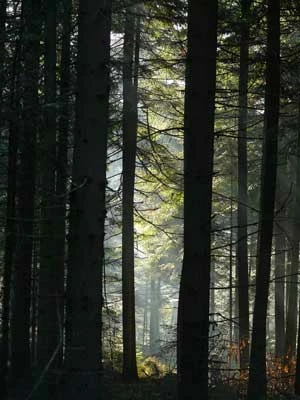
column 129, row 155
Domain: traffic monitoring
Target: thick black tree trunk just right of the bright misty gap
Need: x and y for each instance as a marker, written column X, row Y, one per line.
column 193, row 309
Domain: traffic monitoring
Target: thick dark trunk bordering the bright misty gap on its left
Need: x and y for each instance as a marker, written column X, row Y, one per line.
column 86, row 235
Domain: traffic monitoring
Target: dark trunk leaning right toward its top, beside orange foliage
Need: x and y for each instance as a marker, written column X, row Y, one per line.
column 257, row 389
